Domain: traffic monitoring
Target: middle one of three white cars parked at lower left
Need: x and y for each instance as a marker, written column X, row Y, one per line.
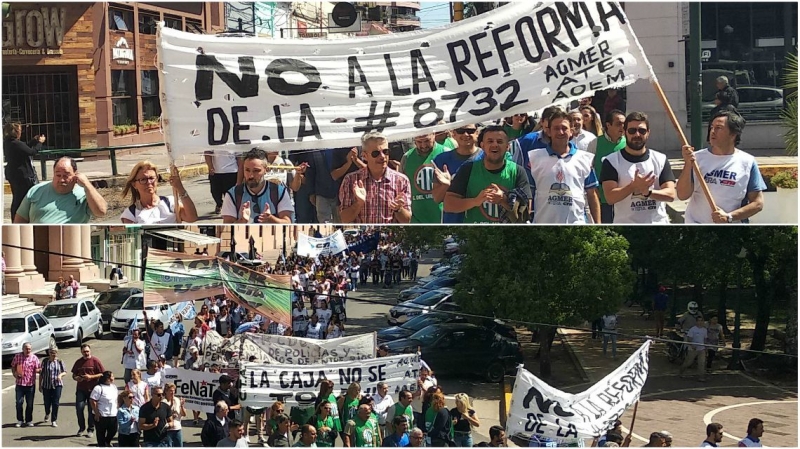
column 74, row 319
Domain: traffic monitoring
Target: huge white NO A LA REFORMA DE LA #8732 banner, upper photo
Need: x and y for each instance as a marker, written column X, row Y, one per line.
column 235, row 93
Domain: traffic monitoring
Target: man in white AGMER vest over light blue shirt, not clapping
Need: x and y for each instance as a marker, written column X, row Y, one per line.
column 563, row 177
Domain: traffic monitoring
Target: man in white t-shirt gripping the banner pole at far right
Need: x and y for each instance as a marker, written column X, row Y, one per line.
column 731, row 174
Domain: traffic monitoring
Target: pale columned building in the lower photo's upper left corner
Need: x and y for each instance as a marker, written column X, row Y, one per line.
column 38, row 254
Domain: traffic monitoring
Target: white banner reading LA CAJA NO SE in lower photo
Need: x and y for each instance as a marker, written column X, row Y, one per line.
column 262, row 385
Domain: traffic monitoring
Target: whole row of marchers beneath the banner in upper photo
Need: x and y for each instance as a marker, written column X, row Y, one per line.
column 569, row 167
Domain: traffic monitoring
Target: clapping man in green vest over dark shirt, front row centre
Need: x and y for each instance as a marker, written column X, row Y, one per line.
column 480, row 188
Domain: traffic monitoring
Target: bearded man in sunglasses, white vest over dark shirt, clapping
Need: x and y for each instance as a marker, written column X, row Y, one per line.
column 638, row 181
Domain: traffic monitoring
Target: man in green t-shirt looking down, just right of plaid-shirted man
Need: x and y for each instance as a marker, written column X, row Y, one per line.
column 417, row 164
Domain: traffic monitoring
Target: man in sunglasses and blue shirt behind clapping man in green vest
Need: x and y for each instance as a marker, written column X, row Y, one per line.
column 448, row 163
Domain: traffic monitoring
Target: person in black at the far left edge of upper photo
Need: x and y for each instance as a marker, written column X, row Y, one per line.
column 19, row 164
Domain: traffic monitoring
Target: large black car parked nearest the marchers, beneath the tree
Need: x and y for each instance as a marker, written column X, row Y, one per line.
column 458, row 348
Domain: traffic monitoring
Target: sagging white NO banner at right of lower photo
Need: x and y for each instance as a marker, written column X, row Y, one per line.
column 537, row 409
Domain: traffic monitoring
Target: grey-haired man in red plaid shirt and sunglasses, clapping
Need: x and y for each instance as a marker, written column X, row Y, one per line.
column 375, row 193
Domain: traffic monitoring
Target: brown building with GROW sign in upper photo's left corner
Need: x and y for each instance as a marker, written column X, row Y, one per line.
column 84, row 74
